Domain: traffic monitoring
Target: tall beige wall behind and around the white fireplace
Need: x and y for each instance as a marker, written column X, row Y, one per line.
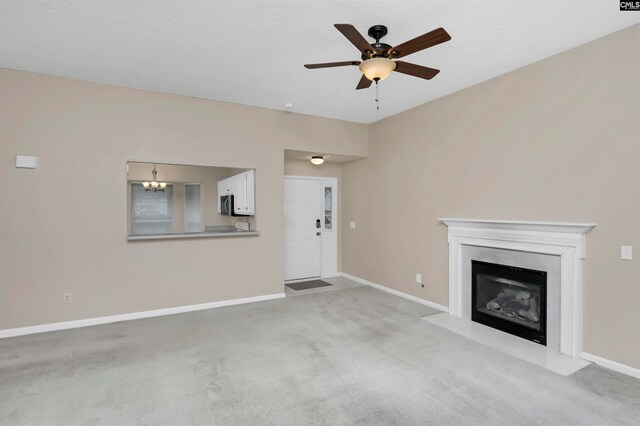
column 558, row 140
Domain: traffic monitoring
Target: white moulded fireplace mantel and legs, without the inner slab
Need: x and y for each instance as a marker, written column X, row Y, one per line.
column 566, row 240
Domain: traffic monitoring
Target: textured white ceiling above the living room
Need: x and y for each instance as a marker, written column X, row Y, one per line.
column 252, row 52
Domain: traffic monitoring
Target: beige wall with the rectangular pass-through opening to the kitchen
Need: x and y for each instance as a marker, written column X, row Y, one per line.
column 64, row 224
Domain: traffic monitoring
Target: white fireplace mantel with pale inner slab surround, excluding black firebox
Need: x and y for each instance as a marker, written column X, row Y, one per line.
column 562, row 241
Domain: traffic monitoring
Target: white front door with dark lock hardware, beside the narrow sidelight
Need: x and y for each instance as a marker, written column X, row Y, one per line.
column 303, row 215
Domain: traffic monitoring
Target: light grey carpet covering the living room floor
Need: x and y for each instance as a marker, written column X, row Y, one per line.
column 352, row 356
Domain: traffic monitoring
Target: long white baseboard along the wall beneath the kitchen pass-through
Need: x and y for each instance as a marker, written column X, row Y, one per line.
column 12, row 332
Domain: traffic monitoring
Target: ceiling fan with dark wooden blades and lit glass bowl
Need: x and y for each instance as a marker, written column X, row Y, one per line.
column 378, row 58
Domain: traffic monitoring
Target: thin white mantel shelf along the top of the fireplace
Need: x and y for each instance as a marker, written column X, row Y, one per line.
column 522, row 225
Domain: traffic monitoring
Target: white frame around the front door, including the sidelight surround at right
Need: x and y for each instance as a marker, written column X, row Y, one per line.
column 328, row 248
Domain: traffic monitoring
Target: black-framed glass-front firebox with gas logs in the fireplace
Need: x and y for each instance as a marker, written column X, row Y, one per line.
column 510, row 299
